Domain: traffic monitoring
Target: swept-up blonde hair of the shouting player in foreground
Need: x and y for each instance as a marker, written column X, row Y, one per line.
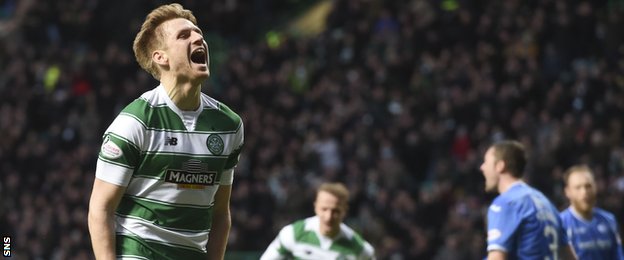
column 150, row 37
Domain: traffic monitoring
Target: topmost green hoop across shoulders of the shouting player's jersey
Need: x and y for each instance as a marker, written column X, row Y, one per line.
column 163, row 118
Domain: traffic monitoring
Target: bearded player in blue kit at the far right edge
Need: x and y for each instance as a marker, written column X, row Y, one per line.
column 592, row 231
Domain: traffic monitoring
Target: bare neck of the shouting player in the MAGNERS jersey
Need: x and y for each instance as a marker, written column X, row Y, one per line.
column 185, row 95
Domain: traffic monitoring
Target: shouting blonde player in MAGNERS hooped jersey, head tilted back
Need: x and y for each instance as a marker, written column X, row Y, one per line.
column 166, row 165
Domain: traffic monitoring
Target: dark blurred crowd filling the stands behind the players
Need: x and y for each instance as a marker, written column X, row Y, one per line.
column 397, row 99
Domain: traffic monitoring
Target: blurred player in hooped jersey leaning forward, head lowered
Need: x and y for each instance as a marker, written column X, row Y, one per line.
column 323, row 236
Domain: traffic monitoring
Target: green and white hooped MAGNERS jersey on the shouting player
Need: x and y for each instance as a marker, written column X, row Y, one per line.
column 172, row 163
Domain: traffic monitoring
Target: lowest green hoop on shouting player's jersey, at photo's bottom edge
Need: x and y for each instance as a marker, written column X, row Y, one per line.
column 130, row 246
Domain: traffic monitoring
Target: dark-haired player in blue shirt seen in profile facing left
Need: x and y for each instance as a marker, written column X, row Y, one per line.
column 522, row 222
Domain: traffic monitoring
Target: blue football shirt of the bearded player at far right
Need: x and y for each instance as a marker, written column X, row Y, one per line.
column 597, row 238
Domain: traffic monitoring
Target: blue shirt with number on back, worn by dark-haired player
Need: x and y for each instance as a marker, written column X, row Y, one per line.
column 523, row 223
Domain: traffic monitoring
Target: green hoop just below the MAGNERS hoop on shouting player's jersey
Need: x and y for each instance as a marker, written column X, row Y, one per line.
column 168, row 216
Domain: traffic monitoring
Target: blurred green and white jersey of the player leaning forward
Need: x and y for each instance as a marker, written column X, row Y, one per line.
column 302, row 240
